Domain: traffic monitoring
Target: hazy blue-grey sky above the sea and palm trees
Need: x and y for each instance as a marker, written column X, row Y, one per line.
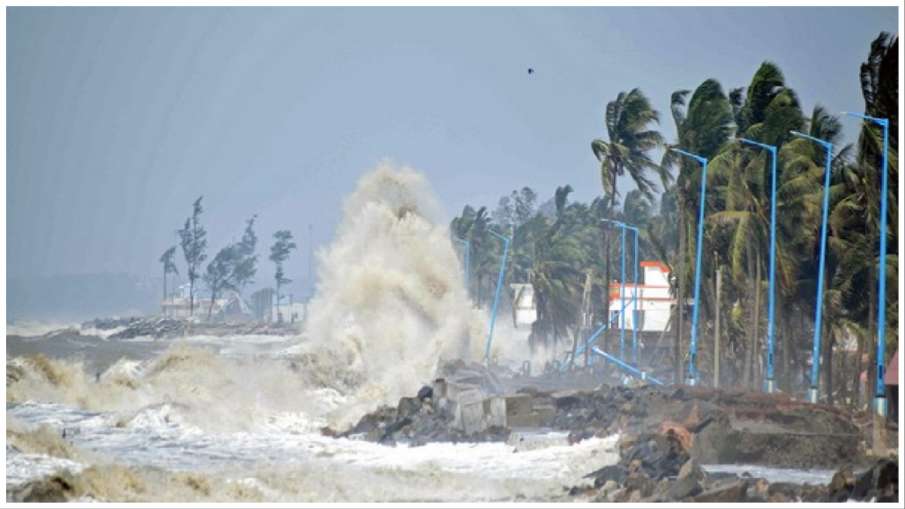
column 118, row 118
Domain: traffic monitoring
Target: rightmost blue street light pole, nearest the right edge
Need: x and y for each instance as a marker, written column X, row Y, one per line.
column 880, row 404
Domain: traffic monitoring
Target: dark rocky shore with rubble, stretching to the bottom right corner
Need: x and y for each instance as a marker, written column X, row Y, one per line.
column 667, row 434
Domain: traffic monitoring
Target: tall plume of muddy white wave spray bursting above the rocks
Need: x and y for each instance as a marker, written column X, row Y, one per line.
column 390, row 302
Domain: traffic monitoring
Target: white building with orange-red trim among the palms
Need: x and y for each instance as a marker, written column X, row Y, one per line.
column 654, row 300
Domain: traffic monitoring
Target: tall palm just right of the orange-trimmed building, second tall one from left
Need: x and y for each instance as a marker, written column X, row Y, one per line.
column 702, row 128
